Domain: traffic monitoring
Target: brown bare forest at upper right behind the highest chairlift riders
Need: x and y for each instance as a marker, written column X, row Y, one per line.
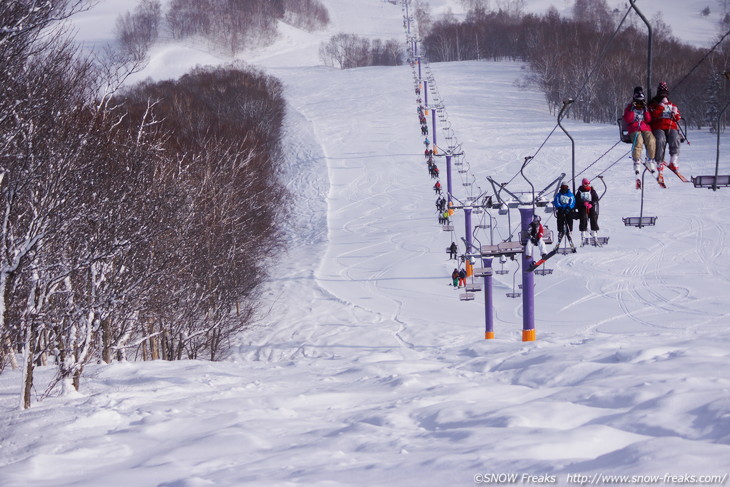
column 587, row 59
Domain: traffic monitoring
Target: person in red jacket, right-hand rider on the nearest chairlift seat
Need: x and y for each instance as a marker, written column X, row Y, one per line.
column 664, row 126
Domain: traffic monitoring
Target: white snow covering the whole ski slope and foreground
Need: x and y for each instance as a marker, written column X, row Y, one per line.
column 367, row 370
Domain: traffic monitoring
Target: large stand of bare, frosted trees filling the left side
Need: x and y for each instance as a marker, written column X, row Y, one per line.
column 135, row 223
